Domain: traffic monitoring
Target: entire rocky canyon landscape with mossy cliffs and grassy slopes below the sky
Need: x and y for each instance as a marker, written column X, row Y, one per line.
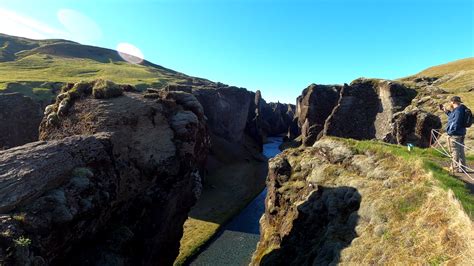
column 119, row 171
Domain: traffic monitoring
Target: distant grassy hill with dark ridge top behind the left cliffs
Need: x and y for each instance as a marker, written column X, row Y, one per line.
column 38, row 67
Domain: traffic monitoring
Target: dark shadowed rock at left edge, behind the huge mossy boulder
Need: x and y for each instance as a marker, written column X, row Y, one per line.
column 20, row 117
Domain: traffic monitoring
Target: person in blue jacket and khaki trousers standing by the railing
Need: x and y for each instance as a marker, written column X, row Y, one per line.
column 456, row 131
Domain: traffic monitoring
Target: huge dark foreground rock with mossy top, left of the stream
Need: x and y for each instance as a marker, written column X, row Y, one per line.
column 113, row 179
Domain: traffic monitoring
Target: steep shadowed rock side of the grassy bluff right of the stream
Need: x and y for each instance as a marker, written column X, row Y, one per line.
column 305, row 223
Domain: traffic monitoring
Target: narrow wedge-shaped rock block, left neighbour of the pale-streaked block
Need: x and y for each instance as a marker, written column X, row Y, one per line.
column 313, row 108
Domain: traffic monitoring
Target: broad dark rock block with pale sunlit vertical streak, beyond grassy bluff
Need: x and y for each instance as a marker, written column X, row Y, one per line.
column 366, row 108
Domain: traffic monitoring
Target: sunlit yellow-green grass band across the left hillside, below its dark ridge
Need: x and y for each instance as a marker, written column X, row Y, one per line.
column 28, row 74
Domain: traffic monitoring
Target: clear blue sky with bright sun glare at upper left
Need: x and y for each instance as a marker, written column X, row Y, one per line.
column 279, row 46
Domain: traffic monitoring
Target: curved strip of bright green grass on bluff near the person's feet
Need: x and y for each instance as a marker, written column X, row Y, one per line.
column 431, row 160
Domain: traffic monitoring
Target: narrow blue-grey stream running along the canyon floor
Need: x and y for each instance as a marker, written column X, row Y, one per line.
column 236, row 242
